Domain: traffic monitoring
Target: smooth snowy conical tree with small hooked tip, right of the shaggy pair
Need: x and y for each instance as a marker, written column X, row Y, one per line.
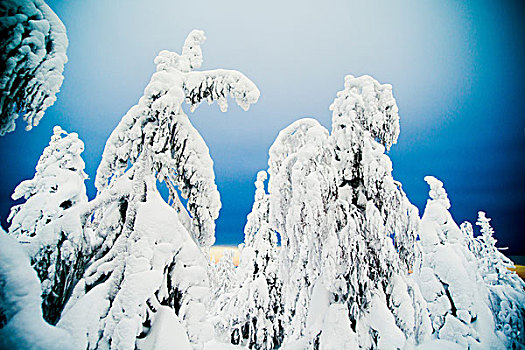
column 455, row 293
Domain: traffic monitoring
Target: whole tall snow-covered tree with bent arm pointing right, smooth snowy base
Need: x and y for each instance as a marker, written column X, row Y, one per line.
column 151, row 267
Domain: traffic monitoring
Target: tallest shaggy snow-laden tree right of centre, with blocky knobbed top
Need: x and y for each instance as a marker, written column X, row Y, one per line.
column 375, row 218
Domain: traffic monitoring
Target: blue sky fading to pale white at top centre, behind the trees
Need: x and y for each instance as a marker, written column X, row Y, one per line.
column 457, row 70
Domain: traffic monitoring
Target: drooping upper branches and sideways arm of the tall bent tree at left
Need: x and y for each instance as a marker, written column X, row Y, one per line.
column 179, row 154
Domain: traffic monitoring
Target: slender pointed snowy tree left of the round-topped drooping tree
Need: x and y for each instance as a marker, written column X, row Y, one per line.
column 251, row 313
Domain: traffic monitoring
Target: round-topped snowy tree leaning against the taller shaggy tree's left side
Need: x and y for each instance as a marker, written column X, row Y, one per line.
column 301, row 189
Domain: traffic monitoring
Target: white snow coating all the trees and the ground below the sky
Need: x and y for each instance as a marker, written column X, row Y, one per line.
column 350, row 272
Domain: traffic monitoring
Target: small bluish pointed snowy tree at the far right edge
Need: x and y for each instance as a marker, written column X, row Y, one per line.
column 506, row 288
